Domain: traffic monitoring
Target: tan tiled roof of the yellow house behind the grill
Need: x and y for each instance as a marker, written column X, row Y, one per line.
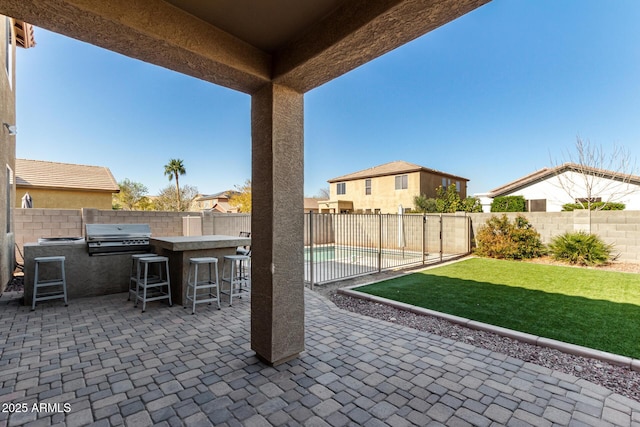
column 65, row 176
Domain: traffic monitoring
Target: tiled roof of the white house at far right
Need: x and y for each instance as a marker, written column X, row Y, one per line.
column 546, row 173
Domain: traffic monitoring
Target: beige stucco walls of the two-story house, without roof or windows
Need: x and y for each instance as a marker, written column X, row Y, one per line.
column 384, row 197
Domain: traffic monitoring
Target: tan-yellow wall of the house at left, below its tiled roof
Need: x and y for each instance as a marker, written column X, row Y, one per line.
column 65, row 199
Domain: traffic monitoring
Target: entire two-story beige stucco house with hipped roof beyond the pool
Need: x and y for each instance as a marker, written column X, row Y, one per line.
column 383, row 188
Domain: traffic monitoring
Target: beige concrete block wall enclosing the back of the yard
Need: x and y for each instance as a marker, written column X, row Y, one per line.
column 620, row 228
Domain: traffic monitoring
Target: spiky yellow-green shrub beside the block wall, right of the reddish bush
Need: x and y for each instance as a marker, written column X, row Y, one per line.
column 580, row 248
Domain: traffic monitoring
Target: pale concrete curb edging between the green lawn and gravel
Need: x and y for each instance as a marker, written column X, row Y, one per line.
column 577, row 350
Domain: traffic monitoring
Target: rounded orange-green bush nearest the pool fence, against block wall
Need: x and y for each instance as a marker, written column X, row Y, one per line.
column 503, row 239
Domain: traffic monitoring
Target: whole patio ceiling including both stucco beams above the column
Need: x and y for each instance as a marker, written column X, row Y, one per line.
column 244, row 44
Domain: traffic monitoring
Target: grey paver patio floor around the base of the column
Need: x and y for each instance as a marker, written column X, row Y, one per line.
column 101, row 362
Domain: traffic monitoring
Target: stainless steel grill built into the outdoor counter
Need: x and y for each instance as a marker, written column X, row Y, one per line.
column 104, row 239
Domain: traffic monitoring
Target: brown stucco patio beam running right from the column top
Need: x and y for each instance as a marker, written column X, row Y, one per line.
column 358, row 32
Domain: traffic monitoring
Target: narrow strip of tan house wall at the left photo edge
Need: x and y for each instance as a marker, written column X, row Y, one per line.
column 8, row 151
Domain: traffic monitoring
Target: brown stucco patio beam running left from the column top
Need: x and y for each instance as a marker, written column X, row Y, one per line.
column 153, row 31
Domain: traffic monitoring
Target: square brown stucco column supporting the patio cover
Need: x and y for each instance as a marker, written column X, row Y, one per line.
column 277, row 224
